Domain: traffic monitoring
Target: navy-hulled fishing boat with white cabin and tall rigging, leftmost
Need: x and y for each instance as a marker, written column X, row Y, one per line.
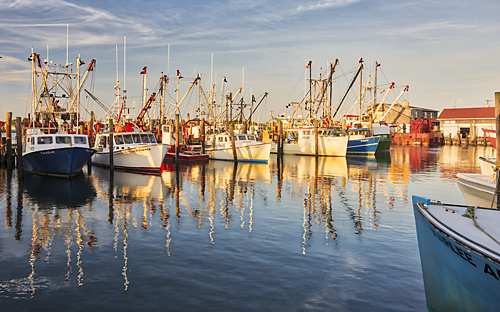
column 54, row 143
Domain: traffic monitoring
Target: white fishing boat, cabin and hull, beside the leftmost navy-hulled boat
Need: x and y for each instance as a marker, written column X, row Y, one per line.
column 132, row 151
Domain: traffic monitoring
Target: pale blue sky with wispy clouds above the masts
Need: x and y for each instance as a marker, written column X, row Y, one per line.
column 447, row 52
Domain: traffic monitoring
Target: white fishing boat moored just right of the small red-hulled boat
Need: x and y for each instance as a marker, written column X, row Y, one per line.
column 248, row 149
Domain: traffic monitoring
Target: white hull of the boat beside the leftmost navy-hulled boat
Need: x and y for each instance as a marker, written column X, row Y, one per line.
column 146, row 158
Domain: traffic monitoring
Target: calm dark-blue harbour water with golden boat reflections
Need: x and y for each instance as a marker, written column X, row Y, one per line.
column 332, row 235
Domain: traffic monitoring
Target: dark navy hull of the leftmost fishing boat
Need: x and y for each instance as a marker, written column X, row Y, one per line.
column 63, row 162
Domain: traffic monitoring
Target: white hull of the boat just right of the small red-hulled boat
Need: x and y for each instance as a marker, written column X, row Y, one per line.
column 249, row 153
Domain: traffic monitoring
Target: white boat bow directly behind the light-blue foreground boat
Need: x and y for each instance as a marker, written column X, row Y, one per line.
column 478, row 189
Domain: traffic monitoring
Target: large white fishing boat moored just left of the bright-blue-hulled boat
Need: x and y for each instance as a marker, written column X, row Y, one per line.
column 301, row 141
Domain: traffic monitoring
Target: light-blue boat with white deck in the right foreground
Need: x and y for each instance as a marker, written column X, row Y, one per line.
column 460, row 255
